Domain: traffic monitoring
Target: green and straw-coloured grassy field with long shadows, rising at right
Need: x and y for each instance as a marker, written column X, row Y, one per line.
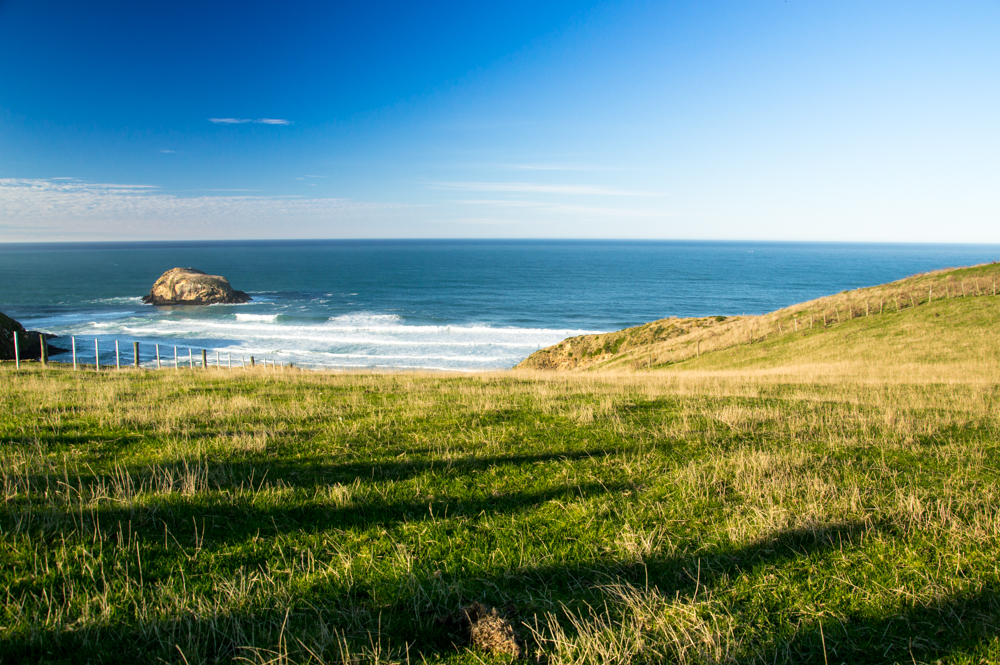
column 825, row 497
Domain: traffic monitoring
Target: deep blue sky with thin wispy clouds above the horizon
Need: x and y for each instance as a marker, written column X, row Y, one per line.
column 762, row 120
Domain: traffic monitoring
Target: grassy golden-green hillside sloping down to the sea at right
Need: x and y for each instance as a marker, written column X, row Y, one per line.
column 945, row 316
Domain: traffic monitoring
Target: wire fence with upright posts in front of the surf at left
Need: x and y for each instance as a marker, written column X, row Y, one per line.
column 162, row 356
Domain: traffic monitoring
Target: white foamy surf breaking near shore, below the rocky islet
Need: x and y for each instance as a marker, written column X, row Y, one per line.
column 354, row 340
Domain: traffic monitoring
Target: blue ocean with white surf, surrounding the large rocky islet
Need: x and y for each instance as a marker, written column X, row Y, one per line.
column 427, row 304
